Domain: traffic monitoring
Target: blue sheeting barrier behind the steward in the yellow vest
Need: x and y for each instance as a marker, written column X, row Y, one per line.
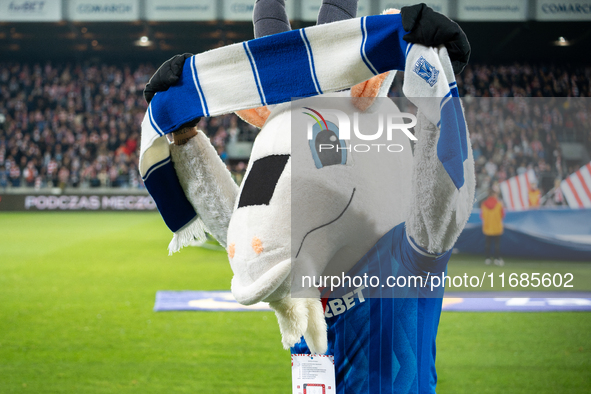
column 557, row 234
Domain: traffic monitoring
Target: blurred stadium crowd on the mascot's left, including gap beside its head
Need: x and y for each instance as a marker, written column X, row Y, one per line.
column 79, row 125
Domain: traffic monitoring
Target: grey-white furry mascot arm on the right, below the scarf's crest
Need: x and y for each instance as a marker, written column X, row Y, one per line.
column 439, row 211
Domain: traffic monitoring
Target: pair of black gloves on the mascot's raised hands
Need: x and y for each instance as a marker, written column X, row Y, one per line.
column 427, row 27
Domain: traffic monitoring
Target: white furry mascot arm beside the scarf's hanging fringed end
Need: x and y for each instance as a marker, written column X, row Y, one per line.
column 207, row 183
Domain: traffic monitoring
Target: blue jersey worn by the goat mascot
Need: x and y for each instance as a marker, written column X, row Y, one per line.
column 383, row 338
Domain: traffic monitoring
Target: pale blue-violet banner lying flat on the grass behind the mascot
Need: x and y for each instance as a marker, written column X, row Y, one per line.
column 452, row 302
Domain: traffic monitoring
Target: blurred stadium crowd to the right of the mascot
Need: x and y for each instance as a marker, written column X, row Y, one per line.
column 511, row 136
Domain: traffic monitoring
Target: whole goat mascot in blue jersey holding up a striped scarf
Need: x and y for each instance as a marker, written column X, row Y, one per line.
column 303, row 211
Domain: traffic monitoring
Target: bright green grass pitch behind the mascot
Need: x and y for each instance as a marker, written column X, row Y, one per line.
column 76, row 298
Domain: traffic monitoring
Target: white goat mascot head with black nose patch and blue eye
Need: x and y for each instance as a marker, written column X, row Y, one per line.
column 318, row 193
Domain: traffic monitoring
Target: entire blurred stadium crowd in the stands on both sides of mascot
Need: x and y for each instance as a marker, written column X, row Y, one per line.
column 79, row 125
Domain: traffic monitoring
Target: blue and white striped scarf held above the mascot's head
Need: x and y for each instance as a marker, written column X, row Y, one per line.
column 272, row 70
